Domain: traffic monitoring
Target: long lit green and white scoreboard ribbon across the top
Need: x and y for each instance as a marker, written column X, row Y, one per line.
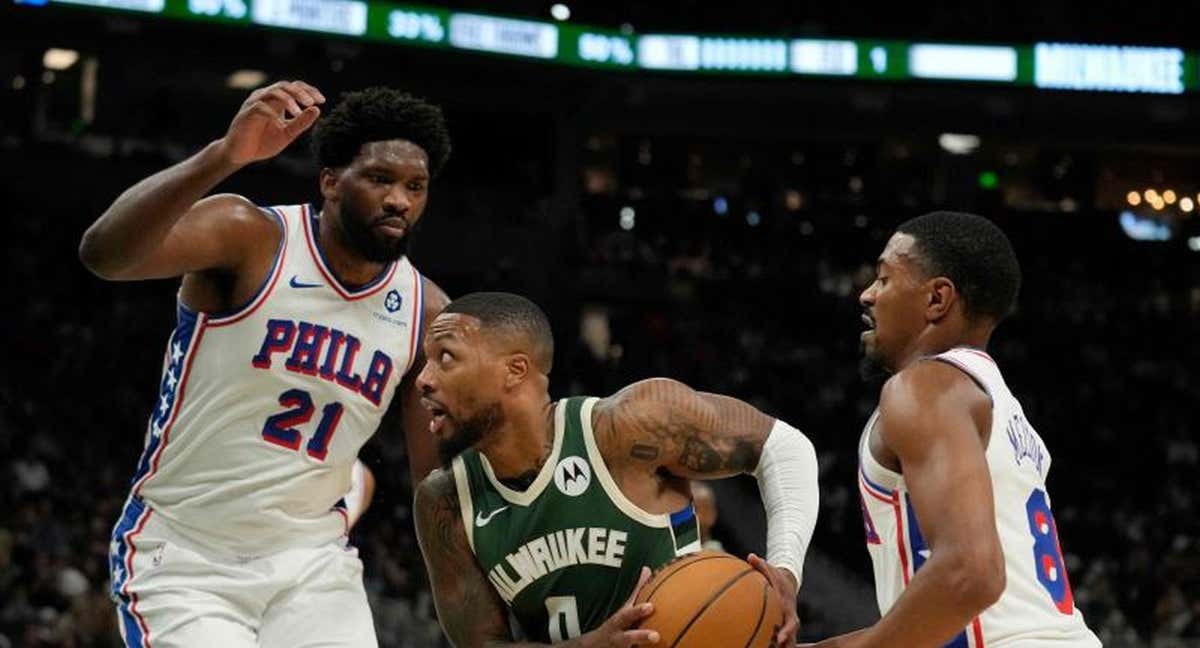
column 1046, row 65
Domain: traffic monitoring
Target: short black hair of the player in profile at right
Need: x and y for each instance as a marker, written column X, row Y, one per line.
column 974, row 254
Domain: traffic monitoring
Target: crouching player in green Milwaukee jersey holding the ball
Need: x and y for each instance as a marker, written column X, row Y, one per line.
column 550, row 512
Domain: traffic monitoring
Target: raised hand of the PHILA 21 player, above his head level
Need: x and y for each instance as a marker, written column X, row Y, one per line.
column 271, row 119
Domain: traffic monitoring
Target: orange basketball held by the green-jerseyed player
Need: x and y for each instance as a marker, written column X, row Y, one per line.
column 712, row 601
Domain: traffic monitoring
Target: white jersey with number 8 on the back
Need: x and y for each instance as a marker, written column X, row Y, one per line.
column 1037, row 608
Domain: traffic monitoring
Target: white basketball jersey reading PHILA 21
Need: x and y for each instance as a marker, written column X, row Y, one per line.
column 262, row 412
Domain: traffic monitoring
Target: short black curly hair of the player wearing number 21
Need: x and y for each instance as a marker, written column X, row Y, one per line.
column 379, row 115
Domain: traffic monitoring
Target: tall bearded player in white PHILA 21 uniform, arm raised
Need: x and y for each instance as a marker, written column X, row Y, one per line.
column 298, row 329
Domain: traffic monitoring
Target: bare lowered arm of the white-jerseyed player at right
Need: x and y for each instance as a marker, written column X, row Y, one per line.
column 931, row 417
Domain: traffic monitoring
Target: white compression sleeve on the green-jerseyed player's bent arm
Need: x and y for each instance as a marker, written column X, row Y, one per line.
column 788, row 482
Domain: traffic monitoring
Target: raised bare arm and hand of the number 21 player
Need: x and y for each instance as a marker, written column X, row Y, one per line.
column 160, row 227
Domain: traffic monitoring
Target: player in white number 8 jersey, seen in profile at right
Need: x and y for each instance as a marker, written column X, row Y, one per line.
column 953, row 477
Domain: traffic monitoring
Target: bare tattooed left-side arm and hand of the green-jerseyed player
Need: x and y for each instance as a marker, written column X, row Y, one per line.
column 471, row 614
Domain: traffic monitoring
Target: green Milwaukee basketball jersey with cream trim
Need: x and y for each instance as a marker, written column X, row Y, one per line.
column 566, row 554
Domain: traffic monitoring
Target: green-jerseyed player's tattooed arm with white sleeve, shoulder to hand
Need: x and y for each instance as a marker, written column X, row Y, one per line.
column 662, row 424
